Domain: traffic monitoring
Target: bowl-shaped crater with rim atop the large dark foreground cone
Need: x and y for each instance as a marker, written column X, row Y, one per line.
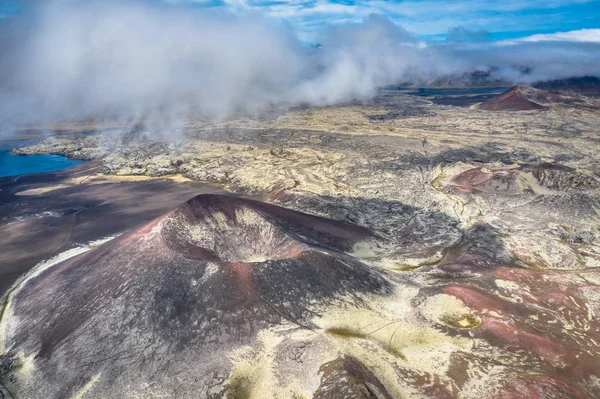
column 229, row 229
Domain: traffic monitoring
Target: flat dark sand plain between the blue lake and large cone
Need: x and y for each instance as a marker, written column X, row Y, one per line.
column 37, row 227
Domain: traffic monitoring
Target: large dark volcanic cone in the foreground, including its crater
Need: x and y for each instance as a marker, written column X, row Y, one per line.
column 182, row 290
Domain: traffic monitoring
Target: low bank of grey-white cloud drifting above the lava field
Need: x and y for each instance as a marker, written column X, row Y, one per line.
column 134, row 60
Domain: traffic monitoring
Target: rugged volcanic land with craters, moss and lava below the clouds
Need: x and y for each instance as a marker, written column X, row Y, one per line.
column 390, row 249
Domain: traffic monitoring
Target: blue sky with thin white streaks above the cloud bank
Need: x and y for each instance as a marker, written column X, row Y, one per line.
column 428, row 19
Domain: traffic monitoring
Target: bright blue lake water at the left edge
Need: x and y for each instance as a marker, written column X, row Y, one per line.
column 14, row 165
